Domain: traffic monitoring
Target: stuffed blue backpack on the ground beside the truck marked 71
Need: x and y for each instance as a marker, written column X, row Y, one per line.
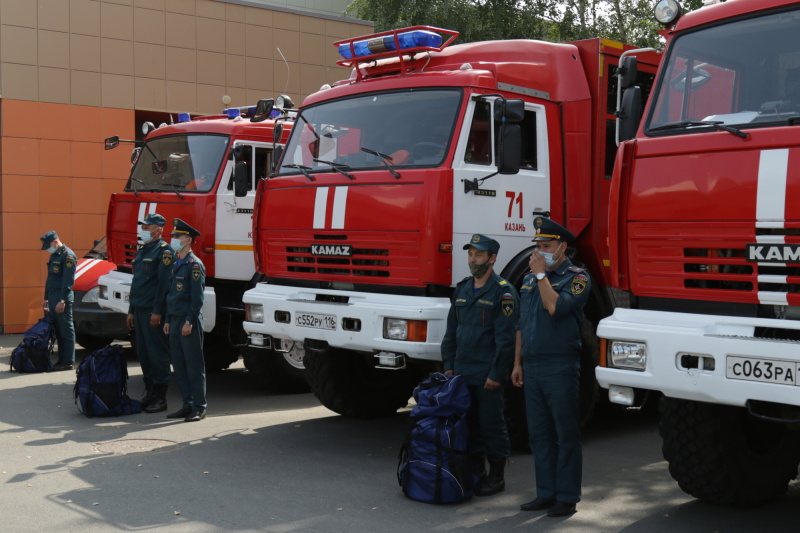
column 434, row 464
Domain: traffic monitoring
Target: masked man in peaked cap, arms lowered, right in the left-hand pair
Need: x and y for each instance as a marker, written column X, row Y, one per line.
column 184, row 323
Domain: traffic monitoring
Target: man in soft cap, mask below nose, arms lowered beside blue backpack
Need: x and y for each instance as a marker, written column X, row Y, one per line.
column 479, row 345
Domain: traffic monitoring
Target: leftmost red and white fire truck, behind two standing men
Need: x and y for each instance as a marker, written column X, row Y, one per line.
column 204, row 171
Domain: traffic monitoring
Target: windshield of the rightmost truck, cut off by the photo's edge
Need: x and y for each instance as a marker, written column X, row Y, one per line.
column 744, row 73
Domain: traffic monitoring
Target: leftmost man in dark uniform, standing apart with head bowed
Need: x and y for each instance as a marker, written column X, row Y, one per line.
column 58, row 297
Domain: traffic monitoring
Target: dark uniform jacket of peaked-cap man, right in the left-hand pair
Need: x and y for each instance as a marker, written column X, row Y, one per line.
column 185, row 296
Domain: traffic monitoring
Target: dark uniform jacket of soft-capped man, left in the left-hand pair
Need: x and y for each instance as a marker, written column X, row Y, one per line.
column 152, row 268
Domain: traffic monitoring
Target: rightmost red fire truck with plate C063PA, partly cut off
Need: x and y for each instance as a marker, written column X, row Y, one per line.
column 705, row 236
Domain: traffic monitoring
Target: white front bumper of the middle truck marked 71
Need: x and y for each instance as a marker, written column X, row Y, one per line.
column 368, row 308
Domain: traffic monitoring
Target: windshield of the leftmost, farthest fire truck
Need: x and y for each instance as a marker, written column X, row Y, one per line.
column 179, row 163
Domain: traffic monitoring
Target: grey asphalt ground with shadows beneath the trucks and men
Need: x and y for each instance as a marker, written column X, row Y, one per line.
column 283, row 463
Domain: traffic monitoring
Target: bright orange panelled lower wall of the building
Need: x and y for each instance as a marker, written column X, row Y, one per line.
column 55, row 174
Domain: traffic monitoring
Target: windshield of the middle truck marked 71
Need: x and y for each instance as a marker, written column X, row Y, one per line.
column 399, row 129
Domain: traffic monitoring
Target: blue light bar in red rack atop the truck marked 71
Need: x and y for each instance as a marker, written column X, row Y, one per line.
column 393, row 43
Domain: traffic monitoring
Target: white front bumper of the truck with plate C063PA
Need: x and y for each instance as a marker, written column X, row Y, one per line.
column 670, row 335
